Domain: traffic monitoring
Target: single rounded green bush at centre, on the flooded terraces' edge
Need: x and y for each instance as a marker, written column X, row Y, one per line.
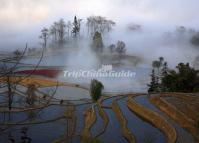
column 96, row 89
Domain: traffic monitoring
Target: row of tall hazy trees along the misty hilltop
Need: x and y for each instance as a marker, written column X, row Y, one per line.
column 61, row 32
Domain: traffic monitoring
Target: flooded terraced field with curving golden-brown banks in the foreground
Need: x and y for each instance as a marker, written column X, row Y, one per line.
column 122, row 118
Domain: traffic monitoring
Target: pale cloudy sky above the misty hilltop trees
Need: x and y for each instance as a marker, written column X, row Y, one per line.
column 22, row 19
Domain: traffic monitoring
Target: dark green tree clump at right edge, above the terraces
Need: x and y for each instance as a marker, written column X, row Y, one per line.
column 184, row 79
